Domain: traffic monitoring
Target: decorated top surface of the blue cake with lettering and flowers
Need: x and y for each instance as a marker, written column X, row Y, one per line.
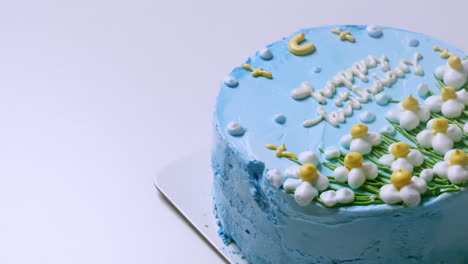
column 308, row 91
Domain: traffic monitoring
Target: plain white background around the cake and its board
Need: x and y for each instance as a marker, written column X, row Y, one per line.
column 97, row 96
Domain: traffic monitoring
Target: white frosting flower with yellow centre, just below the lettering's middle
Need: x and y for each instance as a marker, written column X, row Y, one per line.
column 360, row 140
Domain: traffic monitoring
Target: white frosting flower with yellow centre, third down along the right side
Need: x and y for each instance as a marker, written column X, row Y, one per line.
column 440, row 135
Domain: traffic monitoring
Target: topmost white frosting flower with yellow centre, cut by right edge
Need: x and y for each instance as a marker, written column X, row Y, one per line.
column 455, row 73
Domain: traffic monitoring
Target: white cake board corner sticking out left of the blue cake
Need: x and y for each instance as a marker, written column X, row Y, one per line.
column 187, row 186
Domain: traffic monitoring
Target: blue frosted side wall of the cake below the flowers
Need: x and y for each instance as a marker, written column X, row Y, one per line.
column 270, row 227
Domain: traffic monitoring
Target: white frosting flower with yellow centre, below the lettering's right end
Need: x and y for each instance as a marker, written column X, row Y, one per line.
column 409, row 114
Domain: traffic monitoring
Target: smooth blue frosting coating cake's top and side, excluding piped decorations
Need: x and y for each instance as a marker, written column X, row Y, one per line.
column 280, row 231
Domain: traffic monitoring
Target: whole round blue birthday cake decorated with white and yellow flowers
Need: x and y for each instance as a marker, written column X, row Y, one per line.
column 345, row 144
